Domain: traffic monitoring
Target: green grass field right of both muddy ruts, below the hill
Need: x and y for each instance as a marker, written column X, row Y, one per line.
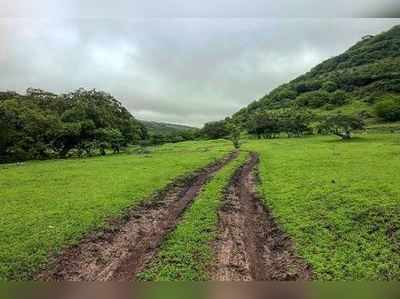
column 340, row 201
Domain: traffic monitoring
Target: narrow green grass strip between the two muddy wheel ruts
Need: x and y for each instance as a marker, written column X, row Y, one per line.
column 187, row 252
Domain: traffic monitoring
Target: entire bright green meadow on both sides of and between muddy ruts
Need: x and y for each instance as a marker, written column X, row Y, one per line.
column 337, row 200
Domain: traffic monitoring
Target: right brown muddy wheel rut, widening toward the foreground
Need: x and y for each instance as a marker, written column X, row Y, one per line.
column 250, row 245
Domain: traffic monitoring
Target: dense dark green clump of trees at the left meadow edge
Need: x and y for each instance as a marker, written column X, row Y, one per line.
column 40, row 124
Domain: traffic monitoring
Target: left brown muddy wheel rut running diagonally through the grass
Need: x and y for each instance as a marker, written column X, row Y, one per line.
column 123, row 249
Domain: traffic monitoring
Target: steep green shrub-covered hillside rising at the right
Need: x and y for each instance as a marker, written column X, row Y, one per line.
column 354, row 82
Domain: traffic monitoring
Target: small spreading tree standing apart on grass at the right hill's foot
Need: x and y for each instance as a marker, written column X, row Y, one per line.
column 341, row 125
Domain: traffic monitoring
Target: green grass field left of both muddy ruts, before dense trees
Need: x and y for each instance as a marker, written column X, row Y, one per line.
column 50, row 204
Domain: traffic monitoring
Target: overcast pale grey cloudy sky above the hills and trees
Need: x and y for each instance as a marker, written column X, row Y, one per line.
column 178, row 63
